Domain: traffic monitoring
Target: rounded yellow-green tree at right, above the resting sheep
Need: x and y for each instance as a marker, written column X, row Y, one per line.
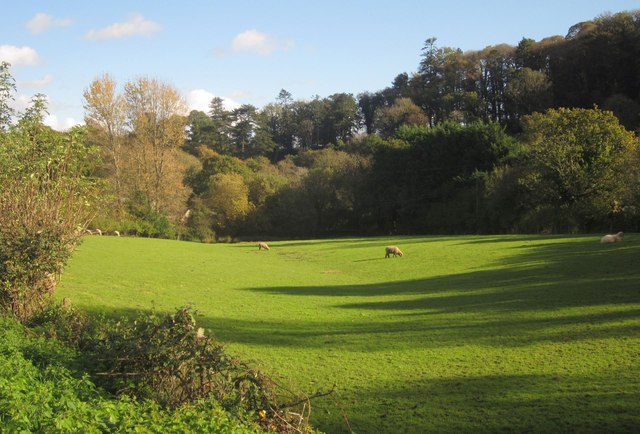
column 576, row 161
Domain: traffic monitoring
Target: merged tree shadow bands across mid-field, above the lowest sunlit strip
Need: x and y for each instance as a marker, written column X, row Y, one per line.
column 556, row 291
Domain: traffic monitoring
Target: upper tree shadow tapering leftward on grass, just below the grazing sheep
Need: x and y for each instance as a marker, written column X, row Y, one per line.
column 548, row 275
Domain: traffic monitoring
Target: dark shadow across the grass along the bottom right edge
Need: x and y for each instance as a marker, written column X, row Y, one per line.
column 504, row 403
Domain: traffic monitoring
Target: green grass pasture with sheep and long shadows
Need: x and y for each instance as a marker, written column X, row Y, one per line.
column 462, row 334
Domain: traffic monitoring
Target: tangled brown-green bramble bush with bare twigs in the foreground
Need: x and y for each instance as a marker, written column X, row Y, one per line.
column 169, row 360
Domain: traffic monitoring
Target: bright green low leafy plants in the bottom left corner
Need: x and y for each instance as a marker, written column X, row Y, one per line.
column 39, row 392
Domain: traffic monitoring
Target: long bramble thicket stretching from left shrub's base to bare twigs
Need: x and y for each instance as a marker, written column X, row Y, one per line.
column 167, row 360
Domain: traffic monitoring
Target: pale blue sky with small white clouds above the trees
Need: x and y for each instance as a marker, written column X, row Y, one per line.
column 246, row 51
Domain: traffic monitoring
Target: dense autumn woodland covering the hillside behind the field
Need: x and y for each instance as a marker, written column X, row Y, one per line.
column 540, row 137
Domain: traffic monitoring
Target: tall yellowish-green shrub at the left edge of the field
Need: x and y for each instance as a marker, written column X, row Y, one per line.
column 45, row 204
